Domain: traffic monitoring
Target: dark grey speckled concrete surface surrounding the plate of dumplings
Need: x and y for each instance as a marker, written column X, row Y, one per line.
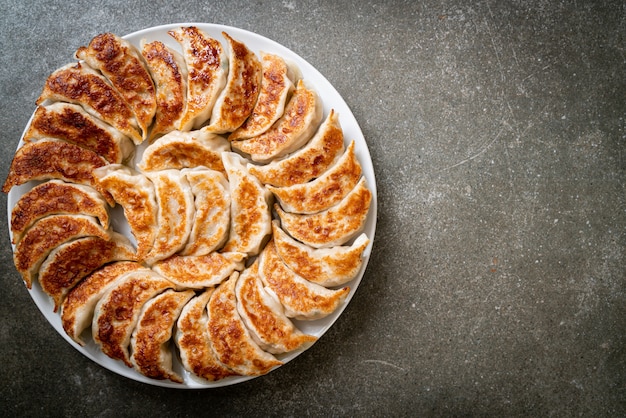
column 497, row 281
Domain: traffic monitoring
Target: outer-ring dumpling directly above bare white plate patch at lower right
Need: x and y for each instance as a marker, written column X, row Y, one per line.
column 300, row 298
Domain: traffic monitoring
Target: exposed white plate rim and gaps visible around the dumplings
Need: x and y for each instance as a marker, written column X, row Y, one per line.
column 331, row 99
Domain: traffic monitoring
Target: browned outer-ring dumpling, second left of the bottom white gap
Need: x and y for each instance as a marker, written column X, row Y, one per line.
column 117, row 312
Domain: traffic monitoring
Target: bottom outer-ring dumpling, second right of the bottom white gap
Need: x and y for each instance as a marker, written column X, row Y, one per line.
column 230, row 338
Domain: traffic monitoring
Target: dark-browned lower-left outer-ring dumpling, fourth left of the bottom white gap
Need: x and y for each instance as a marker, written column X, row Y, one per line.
column 70, row 262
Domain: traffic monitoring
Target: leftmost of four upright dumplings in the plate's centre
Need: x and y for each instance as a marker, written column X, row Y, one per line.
column 135, row 193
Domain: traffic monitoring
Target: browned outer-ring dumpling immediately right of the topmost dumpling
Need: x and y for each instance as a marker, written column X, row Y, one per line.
column 237, row 99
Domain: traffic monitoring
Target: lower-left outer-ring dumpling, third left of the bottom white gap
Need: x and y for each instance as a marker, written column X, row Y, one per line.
column 77, row 308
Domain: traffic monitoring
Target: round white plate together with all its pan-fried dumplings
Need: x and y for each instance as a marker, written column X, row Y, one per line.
column 191, row 205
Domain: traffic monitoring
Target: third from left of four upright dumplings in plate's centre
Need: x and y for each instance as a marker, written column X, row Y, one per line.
column 211, row 222
